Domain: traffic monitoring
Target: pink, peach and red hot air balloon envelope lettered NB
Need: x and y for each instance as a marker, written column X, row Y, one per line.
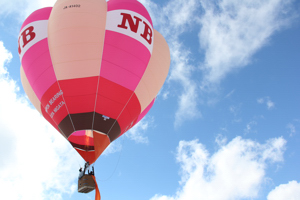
column 92, row 69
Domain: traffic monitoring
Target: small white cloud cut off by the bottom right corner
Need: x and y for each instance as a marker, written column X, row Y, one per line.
column 290, row 191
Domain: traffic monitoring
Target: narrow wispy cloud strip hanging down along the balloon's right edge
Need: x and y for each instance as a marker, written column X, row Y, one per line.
column 172, row 20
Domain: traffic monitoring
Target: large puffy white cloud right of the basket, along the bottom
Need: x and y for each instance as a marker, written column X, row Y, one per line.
column 236, row 171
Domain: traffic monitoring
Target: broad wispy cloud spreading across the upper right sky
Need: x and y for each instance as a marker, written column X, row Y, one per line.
column 230, row 33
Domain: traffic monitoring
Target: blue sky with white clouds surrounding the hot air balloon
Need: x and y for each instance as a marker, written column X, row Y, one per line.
column 226, row 124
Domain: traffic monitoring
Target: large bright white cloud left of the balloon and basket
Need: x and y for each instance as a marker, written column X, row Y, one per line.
column 36, row 161
